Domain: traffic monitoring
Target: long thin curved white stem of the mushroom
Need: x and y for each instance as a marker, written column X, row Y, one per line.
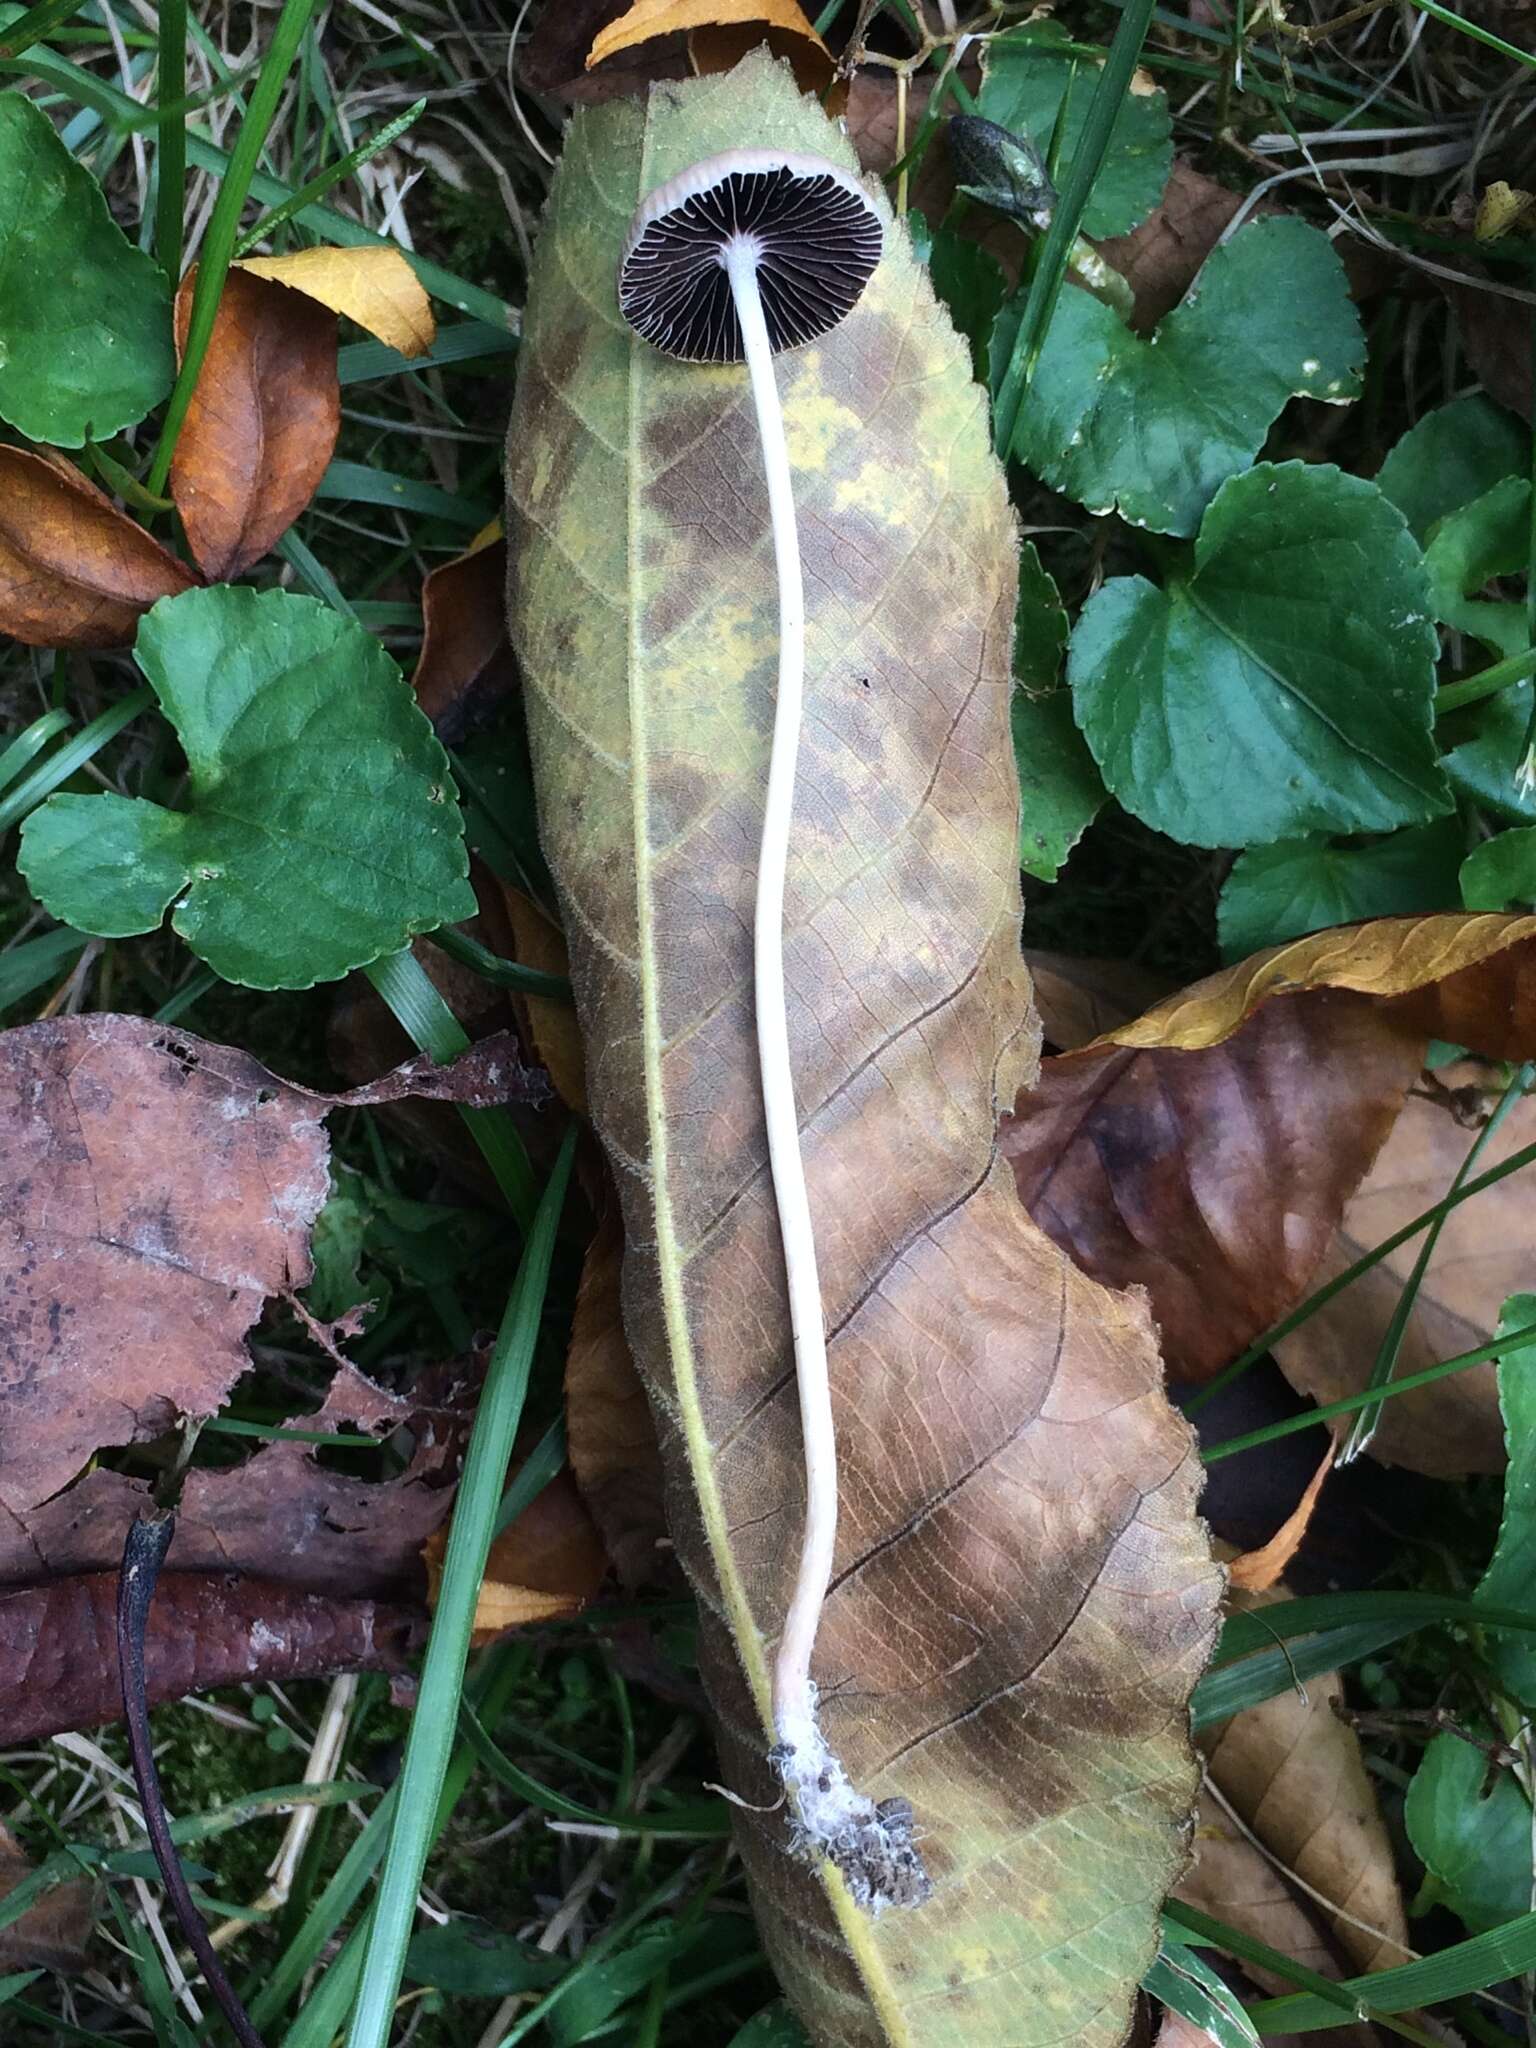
column 794, row 1699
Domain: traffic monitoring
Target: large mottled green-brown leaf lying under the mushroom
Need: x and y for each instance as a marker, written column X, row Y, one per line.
column 1021, row 1592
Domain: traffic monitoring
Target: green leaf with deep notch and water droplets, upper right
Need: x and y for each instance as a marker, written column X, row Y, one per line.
column 1154, row 427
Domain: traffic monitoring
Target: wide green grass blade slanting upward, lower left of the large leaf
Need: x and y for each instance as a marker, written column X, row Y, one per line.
column 443, row 1674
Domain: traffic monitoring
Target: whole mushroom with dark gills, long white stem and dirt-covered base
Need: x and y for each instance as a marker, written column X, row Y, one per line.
column 732, row 261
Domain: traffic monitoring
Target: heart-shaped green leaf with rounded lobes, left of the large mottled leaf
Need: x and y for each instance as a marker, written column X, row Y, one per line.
column 323, row 828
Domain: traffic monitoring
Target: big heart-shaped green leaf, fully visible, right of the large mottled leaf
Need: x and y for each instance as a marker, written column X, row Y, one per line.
column 1285, row 687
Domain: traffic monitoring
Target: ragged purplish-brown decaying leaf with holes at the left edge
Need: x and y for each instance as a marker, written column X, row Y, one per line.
column 159, row 1191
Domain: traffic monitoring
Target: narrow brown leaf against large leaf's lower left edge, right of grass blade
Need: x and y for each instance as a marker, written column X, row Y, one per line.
column 609, row 1424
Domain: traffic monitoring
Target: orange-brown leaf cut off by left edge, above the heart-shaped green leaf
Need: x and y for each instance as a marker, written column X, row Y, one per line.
column 75, row 572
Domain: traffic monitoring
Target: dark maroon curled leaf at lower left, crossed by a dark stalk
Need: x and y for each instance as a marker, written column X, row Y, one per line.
column 58, row 1652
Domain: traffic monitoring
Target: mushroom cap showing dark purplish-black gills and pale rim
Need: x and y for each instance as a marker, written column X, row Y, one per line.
column 816, row 237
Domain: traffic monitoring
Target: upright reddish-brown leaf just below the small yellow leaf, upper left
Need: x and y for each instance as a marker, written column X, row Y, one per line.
column 261, row 427
